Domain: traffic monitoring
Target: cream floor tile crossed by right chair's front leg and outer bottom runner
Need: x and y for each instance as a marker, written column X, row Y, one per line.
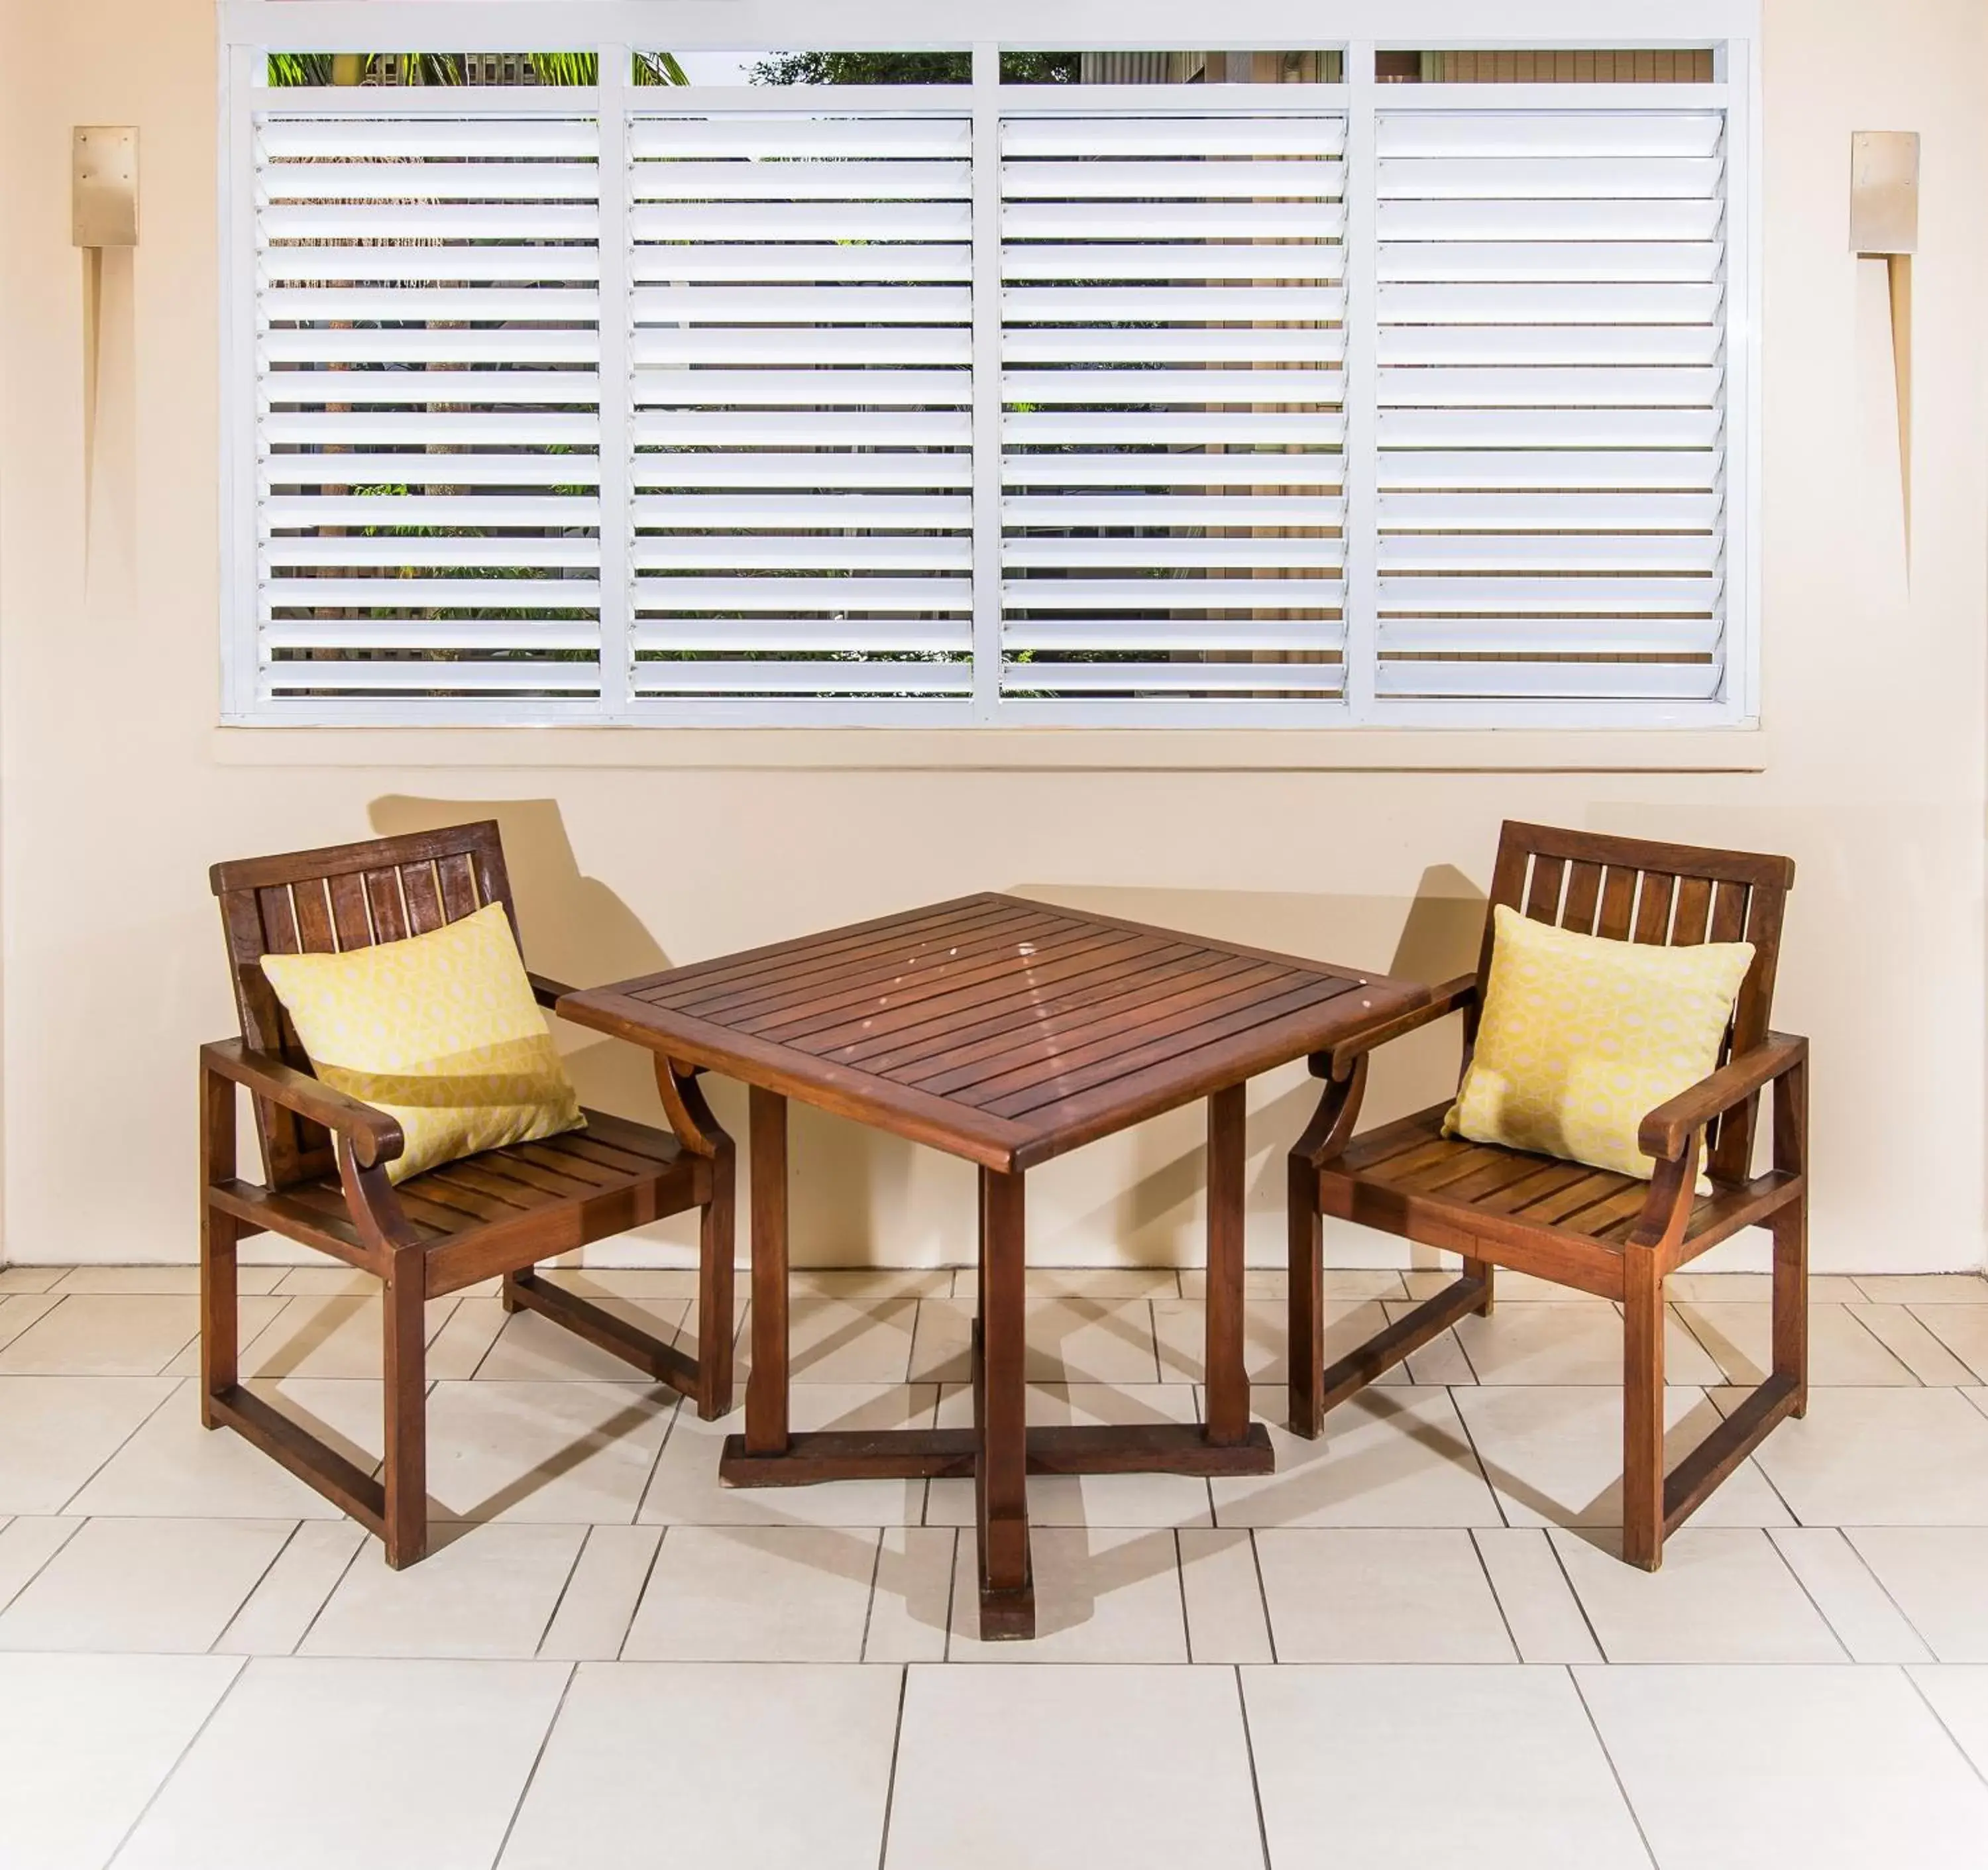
column 1556, row 1456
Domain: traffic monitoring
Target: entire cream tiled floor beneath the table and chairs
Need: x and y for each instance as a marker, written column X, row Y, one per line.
column 1408, row 1644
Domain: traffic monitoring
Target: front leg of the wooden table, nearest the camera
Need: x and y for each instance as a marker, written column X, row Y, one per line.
column 1001, row 1458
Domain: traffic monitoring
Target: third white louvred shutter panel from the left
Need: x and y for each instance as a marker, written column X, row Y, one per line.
column 1174, row 408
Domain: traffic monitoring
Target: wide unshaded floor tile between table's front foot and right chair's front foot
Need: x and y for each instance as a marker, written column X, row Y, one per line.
column 1381, row 1595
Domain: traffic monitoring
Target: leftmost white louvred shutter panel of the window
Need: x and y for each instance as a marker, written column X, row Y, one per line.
column 426, row 408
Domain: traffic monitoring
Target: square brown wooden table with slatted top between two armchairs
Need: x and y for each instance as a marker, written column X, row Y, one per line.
column 1007, row 1032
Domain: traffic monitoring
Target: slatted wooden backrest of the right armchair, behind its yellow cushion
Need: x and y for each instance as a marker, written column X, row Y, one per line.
column 1657, row 895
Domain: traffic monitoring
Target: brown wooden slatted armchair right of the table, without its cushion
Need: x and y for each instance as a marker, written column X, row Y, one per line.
column 1601, row 1233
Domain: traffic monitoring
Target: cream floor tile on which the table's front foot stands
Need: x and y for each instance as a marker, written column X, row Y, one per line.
column 1100, row 1597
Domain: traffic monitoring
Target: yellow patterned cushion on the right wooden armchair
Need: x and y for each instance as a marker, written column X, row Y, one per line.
column 1581, row 1038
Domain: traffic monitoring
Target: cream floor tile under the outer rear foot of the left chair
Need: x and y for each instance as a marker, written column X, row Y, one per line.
column 174, row 1468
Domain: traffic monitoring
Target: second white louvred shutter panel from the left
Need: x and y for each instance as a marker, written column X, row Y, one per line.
column 802, row 347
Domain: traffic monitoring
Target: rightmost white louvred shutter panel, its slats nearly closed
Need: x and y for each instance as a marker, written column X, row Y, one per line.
column 1552, row 402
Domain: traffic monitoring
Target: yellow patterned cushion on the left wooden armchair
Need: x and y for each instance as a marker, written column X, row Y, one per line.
column 440, row 1032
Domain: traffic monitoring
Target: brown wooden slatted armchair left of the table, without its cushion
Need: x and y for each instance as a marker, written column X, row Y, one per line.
column 496, row 1213
